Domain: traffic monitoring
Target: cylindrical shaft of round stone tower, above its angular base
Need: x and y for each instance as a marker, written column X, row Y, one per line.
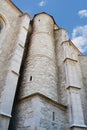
column 40, row 75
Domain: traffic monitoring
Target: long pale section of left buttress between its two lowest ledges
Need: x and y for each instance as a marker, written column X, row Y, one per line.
column 8, row 93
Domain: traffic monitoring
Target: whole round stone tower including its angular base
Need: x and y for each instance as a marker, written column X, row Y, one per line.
column 37, row 107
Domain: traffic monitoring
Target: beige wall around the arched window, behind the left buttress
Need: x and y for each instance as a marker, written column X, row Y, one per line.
column 7, row 45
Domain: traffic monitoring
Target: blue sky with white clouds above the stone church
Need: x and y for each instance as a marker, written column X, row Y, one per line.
column 69, row 14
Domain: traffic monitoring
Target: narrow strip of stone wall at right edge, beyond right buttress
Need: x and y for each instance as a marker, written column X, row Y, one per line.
column 83, row 64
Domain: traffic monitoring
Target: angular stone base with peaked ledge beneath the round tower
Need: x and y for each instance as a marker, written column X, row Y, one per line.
column 39, row 113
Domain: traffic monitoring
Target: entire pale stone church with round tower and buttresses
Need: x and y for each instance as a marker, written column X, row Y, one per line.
column 43, row 76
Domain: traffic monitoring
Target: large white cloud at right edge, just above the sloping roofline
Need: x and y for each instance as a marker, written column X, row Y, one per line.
column 79, row 38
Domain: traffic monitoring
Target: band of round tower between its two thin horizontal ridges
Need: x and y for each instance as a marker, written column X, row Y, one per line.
column 40, row 46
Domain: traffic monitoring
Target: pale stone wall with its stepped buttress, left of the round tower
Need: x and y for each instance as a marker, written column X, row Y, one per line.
column 11, row 53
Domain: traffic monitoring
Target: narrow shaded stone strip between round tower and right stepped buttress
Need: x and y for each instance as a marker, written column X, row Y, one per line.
column 61, row 35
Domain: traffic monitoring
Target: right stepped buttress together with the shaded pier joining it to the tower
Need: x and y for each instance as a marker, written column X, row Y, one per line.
column 70, row 79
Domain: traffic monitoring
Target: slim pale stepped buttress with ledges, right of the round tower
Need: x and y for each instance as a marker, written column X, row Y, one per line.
column 73, row 87
